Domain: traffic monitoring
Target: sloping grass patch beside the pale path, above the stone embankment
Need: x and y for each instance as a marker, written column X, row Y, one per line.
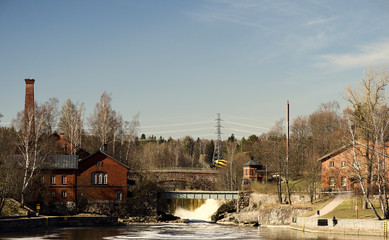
column 346, row 210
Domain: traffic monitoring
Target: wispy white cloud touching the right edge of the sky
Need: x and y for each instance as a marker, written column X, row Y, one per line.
column 368, row 55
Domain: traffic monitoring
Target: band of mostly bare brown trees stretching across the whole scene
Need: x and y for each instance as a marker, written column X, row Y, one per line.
column 311, row 137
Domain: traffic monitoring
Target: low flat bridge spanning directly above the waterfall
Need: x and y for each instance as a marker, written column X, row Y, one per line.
column 200, row 195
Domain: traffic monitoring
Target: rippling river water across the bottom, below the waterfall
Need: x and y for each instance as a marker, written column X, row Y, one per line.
column 192, row 230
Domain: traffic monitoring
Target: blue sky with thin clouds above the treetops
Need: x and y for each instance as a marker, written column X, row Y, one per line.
column 180, row 63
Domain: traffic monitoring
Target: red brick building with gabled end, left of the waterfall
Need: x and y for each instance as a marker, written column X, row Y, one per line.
column 98, row 178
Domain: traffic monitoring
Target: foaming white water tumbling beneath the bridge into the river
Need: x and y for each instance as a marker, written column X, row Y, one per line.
column 203, row 213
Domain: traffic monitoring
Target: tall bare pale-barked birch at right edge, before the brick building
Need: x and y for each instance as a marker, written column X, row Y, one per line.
column 367, row 122
